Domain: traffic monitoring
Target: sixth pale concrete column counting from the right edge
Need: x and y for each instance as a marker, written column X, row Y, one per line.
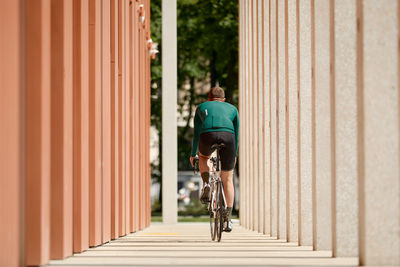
column 281, row 116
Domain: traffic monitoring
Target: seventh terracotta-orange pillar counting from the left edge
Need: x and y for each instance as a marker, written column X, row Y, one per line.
column 114, row 121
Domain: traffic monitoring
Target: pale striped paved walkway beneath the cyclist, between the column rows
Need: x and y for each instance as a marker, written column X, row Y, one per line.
column 189, row 244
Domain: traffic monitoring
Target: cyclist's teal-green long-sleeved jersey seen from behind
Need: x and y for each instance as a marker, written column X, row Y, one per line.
column 213, row 116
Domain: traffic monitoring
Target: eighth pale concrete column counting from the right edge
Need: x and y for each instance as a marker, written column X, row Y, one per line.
column 266, row 118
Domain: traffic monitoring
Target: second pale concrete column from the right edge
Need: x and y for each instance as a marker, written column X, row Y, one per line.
column 345, row 108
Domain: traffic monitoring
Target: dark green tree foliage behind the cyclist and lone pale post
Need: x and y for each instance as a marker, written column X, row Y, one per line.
column 207, row 49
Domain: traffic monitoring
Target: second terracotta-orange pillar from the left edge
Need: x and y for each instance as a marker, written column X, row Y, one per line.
column 37, row 130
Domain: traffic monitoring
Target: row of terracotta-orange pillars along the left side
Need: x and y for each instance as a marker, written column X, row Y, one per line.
column 75, row 120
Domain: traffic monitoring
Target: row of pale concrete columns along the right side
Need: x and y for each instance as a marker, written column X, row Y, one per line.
column 320, row 106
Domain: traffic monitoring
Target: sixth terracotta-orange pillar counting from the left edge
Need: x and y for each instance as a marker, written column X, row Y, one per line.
column 106, row 122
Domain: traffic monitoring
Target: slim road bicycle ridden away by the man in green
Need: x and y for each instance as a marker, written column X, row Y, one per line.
column 217, row 203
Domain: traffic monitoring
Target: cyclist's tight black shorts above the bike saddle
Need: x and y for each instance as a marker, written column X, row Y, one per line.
column 227, row 153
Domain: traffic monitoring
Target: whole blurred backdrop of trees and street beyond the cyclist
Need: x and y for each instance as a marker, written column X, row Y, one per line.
column 207, row 56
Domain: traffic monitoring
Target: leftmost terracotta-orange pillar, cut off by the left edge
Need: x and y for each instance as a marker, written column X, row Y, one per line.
column 11, row 135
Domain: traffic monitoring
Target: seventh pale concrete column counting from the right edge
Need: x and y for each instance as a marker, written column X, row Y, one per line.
column 273, row 114
